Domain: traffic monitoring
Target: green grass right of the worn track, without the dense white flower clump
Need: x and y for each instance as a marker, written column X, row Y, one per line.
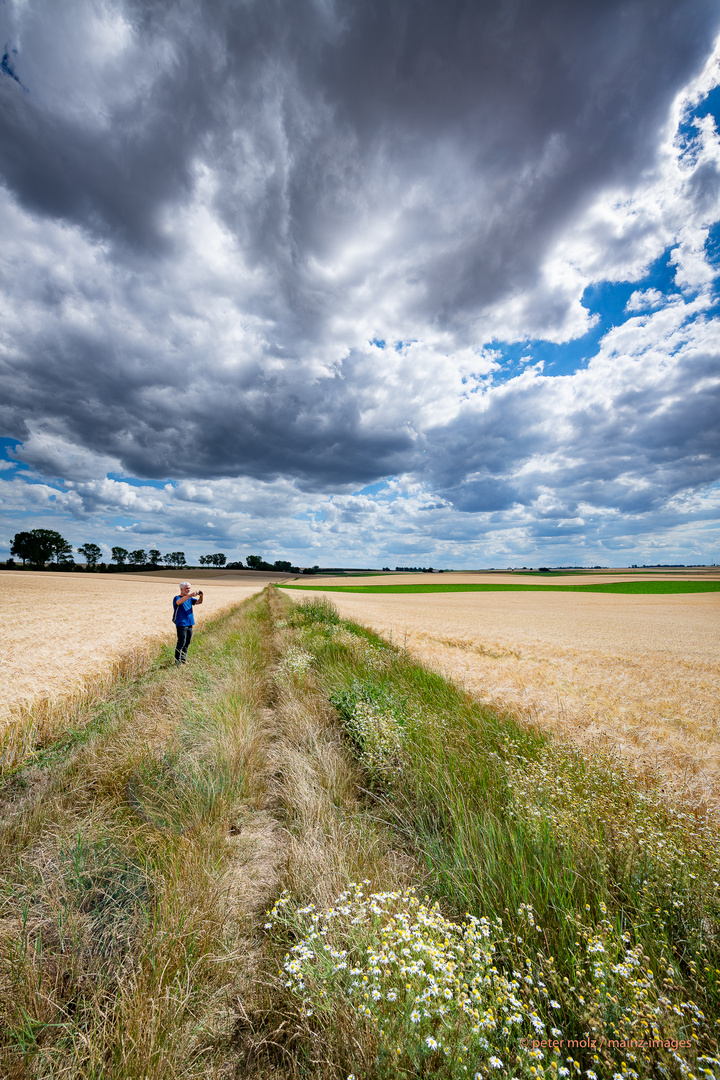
column 604, row 900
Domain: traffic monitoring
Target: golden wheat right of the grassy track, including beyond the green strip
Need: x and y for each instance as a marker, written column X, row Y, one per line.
column 639, row 674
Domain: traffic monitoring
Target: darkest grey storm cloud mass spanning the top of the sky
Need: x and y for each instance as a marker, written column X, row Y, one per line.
column 536, row 105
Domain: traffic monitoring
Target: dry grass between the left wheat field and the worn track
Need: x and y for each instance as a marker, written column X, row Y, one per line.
column 116, row 943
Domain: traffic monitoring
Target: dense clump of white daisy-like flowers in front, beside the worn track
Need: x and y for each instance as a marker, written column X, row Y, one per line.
column 425, row 983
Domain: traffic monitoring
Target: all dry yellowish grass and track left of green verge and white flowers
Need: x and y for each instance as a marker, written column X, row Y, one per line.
column 139, row 856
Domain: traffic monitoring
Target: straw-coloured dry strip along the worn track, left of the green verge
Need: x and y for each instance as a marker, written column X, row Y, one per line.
column 333, row 836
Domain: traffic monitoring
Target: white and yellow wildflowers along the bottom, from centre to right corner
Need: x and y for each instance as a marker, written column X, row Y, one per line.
column 427, row 985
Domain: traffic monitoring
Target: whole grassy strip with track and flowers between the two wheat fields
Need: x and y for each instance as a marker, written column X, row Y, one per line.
column 305, row 856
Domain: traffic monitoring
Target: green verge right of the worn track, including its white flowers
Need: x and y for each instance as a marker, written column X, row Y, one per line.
column 570, row 925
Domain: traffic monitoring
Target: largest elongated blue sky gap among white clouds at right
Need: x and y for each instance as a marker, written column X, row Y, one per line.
column 608, row 302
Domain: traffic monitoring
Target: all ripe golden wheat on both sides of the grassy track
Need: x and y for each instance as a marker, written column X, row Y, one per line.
column 634, row 673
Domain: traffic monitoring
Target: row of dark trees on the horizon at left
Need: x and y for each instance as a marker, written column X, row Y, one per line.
column 42, row 547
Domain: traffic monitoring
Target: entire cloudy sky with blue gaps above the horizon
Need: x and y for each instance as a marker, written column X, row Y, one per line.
column 363, row 282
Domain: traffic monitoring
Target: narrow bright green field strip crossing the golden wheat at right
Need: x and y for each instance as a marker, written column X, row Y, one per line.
column 656, row 588
